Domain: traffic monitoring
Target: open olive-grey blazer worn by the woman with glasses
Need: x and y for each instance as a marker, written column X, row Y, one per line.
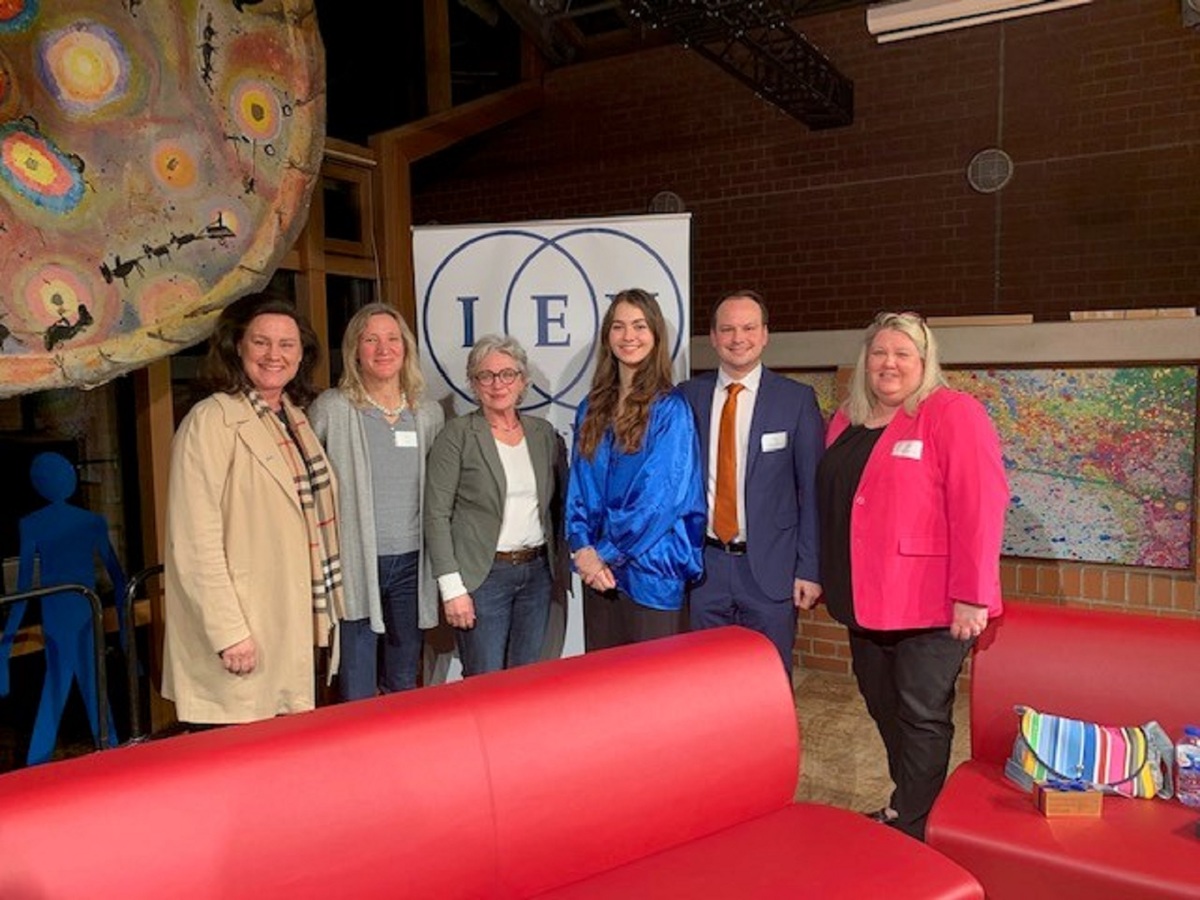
column 465, row 490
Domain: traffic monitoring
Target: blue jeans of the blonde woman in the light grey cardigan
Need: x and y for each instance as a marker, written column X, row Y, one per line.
column 362, row 673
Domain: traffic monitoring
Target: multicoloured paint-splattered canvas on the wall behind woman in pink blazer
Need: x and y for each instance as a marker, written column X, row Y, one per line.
column 1101, row 461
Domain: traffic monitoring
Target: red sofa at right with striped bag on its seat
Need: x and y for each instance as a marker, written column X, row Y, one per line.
column 1115, row 669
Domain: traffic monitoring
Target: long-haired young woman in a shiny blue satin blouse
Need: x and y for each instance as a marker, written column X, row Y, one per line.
column 635, row 502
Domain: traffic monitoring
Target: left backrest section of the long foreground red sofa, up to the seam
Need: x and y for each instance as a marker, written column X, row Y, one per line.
column 351, row 801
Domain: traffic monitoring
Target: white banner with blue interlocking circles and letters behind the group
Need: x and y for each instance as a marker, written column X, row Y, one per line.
column 549, row 285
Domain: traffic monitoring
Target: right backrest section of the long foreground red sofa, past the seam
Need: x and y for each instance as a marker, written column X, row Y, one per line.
column 629, row 752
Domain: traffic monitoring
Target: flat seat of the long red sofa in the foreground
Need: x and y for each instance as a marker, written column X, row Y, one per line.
column 806, row 850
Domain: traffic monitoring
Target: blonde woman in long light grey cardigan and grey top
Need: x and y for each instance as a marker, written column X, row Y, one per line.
column 377, row 433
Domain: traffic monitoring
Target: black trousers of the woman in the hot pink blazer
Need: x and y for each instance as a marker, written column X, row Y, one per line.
column 908, row 681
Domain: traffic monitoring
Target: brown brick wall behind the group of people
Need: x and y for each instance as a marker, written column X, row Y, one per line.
column 1099, row 107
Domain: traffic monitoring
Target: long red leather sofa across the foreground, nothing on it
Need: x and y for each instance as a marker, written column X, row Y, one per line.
column 662, row 770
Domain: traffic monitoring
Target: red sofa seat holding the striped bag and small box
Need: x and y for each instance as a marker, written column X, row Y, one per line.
column 1137, row 849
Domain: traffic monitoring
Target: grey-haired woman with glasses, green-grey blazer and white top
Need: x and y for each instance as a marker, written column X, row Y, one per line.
column 489, row 524
